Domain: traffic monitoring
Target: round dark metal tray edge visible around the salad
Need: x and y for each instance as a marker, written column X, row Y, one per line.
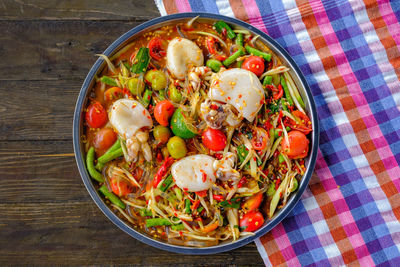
column 150, row 25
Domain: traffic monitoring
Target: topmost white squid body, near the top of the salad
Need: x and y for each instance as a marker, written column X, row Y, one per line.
column 181, row 53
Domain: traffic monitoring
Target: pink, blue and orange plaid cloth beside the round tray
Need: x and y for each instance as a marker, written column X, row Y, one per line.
column 349, row 52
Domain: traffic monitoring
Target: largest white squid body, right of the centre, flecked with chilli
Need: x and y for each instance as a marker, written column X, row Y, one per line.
column 240, row 88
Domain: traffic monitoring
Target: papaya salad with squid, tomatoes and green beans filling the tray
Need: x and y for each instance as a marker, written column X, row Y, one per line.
column 195, row 133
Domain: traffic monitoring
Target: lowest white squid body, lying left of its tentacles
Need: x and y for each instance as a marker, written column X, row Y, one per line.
column 194, row 173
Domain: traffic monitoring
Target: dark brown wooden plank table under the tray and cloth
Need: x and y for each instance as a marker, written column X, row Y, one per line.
column 46, row 215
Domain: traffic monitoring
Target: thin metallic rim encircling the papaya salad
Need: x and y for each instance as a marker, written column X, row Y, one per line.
column 163, row 245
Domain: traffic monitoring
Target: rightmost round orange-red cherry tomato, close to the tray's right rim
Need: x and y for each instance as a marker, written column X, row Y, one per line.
column 298, row 145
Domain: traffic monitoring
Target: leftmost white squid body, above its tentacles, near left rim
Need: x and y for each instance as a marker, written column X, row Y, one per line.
column 127, row 116
